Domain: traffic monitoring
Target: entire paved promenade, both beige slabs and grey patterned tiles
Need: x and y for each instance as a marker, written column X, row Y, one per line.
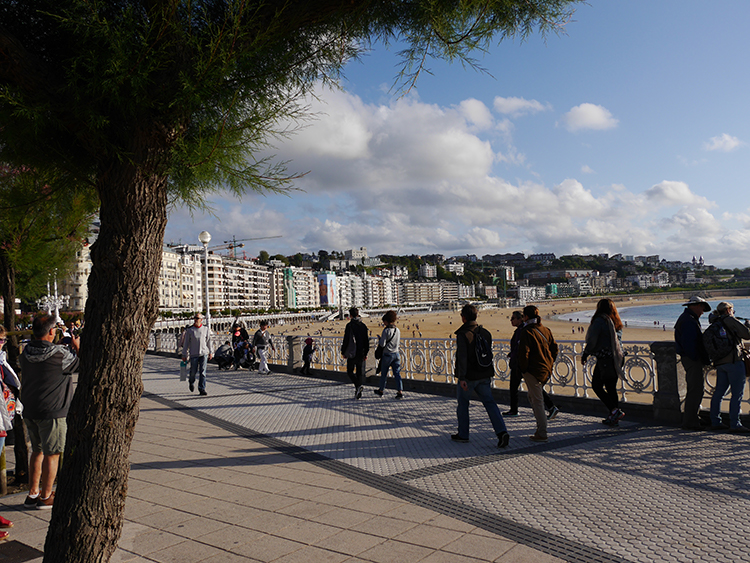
column 291, row 469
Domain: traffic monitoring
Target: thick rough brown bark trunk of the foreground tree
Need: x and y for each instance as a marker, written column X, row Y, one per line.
column 122, row 306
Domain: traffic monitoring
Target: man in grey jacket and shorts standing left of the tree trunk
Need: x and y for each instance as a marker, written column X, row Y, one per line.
column 47, row 393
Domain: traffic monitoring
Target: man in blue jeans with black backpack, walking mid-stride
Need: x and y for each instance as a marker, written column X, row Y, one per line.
column 474, row 371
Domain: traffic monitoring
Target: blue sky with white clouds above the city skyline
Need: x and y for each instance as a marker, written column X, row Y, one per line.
column 628, row 133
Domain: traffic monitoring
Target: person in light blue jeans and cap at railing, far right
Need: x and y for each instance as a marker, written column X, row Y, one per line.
column 723, row 341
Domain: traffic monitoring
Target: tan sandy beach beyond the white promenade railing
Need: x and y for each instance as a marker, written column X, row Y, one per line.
column 442, row 324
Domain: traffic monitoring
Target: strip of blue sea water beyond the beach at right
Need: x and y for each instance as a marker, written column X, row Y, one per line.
column 643, row 316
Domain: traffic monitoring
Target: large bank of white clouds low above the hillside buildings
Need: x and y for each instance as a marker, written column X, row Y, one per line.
column 409, row 177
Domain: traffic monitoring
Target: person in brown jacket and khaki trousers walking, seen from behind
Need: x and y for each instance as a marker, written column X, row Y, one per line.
column 537, row 351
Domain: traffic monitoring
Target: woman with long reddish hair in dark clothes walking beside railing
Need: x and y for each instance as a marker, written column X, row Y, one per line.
column 604, row 342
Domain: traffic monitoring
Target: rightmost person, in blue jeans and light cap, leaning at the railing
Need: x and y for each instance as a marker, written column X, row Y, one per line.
column 730, row 371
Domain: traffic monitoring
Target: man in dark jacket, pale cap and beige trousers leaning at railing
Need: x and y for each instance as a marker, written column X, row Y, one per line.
column 689, row 340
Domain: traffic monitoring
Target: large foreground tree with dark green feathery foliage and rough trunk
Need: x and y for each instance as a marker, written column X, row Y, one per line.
column 167, row 101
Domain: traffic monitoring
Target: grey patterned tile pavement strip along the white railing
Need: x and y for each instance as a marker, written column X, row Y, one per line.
column 635, row 494
